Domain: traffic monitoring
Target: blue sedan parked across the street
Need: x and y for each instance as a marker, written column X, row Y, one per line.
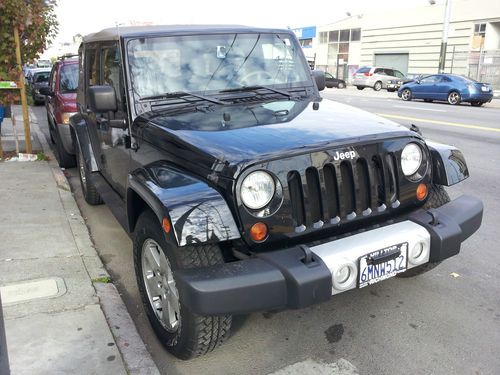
column 447, row 87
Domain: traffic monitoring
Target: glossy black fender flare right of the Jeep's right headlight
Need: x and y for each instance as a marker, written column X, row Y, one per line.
column 448, row 164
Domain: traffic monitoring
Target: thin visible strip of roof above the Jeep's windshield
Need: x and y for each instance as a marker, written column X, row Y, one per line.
column 114, row 33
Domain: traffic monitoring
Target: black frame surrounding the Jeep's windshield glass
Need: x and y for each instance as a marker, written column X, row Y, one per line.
column 299, row 56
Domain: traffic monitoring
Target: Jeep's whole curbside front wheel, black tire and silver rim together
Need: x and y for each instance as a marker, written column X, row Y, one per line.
column 184, row 333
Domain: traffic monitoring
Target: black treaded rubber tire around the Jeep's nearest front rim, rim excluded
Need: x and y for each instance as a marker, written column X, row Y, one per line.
column 196, row 335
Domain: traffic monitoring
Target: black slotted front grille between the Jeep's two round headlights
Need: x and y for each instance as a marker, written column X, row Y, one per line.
column 343, row 191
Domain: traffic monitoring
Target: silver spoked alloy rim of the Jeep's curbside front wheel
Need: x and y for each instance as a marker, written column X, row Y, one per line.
column 160, row 285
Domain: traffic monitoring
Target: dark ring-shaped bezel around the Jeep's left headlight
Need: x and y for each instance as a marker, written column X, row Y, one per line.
column 271, row 206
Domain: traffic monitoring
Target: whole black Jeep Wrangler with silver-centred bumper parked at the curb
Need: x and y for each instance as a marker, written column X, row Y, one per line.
column 242, row 189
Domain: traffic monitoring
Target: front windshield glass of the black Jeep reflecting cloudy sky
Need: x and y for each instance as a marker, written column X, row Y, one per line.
column 212, row 63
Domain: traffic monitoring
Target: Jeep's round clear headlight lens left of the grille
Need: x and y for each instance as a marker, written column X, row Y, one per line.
column 257, row 190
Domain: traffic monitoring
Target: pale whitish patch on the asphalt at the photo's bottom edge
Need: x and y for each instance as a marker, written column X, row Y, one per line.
column 312, row 367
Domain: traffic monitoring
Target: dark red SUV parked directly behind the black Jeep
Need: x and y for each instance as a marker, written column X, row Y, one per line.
column 61, row 105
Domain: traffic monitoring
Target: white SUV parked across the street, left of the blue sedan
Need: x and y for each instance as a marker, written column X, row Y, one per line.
column 376, row 77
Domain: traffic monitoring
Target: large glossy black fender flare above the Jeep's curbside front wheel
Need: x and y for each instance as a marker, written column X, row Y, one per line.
column 198, row 213
